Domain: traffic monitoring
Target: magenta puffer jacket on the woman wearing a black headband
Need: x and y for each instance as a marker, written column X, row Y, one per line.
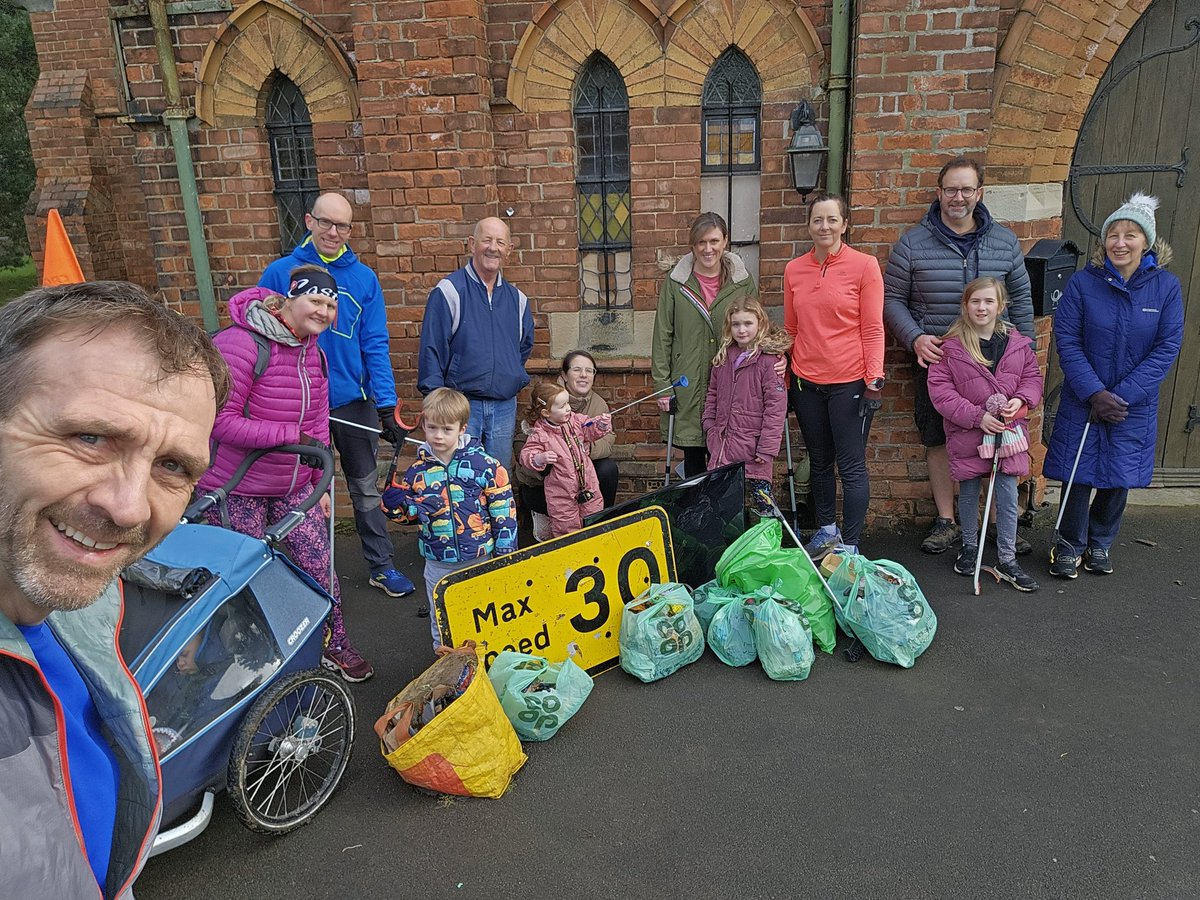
column 289, row 399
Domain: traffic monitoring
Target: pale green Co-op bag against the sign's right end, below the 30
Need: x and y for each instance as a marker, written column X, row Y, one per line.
column 661, row 633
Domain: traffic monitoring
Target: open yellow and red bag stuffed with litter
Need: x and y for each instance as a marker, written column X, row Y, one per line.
column 465, row 747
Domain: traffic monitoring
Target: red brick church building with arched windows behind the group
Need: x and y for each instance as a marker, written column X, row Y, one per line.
column 599, row 129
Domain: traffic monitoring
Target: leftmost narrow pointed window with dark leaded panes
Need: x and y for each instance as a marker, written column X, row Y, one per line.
column 293, row 158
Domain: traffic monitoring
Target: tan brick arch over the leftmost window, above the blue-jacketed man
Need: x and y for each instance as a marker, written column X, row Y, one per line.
column 265, row 37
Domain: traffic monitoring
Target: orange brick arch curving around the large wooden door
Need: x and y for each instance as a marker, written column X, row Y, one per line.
column 1047, row 71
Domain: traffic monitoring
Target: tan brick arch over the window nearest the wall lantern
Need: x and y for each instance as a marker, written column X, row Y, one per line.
column 787, row 58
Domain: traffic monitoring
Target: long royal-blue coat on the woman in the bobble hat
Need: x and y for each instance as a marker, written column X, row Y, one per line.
column 1124, row 338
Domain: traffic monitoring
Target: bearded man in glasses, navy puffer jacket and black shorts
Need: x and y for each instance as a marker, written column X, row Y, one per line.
column 955, row 244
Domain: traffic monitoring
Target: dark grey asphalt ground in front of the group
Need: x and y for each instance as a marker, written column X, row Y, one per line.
column 1043, row 747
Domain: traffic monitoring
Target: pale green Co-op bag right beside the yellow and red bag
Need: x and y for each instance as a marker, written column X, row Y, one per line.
column 538, row 697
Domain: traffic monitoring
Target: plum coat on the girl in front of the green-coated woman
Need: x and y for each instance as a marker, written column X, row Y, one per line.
column 746, row 410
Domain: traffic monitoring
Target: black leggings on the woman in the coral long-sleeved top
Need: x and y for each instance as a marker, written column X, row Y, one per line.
column 836, row 434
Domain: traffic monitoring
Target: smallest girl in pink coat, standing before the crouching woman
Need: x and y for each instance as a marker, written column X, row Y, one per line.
column 559, row 446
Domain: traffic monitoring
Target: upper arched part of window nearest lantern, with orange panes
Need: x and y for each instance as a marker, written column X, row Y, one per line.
column 733, row 111
